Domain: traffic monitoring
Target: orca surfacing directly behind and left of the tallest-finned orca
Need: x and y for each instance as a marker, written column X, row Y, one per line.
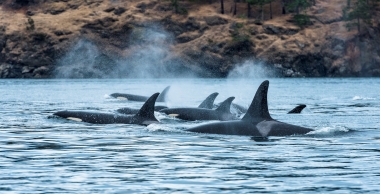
column 221, row 113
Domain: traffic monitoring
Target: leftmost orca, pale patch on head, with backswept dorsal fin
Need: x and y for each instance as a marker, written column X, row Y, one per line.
column 145, row 116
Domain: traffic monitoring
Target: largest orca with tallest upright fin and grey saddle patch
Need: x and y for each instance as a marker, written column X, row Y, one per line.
column 256, row 122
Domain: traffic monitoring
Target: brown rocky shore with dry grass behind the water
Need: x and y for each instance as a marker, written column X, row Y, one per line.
column 145, row 38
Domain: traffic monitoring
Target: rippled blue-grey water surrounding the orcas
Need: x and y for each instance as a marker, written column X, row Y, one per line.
column 40, row 154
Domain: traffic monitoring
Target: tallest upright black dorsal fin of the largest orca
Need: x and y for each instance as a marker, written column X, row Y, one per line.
column 259, row 105
